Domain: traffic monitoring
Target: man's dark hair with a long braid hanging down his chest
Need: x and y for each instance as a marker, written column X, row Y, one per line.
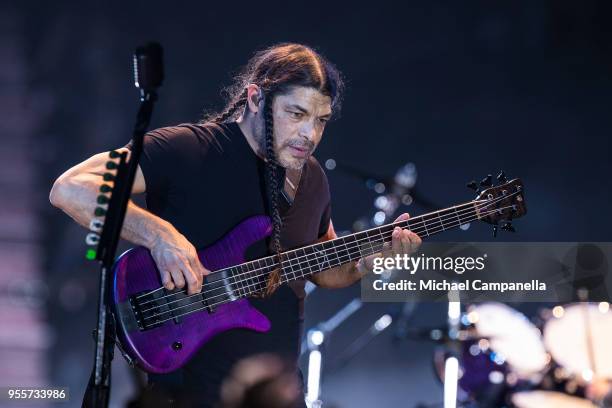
column 276, row 70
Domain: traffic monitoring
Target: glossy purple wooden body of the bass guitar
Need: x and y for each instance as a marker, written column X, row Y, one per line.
column 169, row 346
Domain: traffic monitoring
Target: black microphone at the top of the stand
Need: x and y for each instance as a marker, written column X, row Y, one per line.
column 148, row 67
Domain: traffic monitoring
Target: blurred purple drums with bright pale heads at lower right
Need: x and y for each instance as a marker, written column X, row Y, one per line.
column 508, row 361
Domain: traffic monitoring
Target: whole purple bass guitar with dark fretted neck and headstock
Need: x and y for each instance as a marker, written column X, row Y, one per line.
column 160, row 330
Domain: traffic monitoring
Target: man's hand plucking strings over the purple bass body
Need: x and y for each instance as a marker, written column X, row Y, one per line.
column 177, row 261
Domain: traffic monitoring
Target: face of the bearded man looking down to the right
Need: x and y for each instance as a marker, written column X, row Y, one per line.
column 299, row 119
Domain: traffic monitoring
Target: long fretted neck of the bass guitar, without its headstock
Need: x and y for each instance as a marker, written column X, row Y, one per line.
column 305, row 261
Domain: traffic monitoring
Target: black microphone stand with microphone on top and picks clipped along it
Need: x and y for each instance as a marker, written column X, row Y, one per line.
column 148, row 76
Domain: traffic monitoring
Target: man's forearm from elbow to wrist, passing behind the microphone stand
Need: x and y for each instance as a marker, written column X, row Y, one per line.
column 77, row 198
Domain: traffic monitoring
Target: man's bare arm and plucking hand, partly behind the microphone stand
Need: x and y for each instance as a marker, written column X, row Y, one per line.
column 75, row 192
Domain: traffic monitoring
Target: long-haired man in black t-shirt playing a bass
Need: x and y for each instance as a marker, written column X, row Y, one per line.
column 201, row 179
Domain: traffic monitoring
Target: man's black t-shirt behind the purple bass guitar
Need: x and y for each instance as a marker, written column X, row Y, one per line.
column 204, row 182
